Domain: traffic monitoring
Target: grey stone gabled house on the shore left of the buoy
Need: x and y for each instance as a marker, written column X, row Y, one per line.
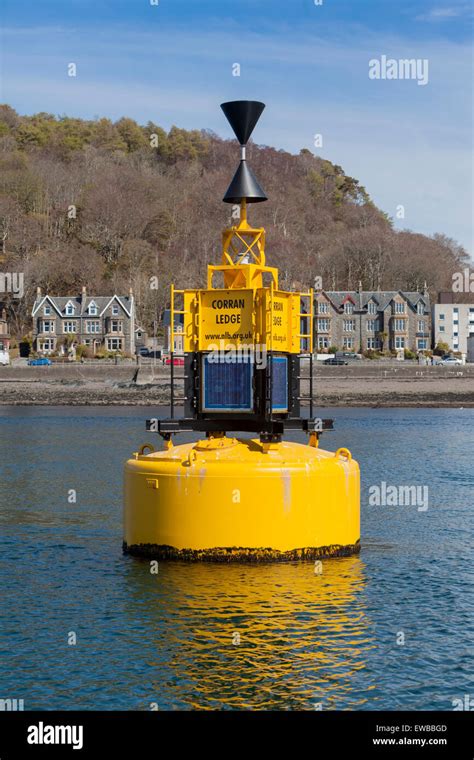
column 99, row 322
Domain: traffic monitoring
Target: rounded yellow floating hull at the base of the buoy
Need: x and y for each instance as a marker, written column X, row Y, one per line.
column 229, row 499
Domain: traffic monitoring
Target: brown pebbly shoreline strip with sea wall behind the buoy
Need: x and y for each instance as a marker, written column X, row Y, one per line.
column 366, row 385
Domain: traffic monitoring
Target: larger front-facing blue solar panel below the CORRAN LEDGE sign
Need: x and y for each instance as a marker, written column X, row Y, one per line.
column 227, row 387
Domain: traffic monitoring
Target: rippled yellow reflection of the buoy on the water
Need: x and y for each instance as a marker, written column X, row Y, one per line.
column 260, row 636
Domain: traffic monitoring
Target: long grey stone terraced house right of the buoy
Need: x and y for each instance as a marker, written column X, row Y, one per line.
column 379, row 320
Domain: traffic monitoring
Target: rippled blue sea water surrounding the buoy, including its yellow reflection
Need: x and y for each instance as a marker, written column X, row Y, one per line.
column 390, row 629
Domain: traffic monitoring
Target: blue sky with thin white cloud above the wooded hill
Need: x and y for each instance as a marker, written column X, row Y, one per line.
column 171, row 63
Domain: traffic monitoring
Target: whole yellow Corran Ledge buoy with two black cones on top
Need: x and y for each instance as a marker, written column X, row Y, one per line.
column 245, row 344
